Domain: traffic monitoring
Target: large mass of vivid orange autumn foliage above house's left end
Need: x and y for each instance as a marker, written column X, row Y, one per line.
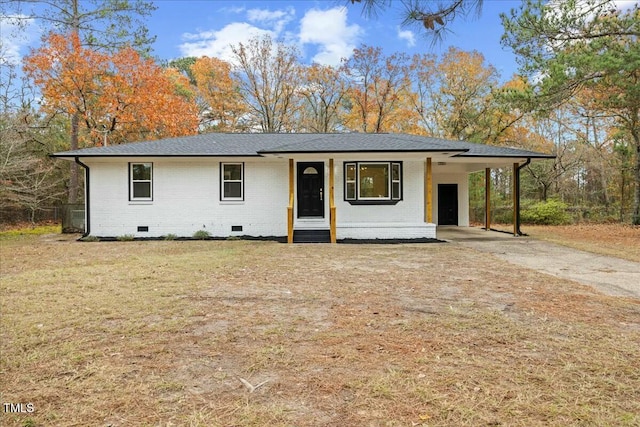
column 123, row 95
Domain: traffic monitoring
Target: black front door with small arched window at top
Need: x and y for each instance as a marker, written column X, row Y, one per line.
column 310, row 189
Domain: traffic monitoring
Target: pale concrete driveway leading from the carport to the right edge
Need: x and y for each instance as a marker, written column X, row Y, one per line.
column 609, row 275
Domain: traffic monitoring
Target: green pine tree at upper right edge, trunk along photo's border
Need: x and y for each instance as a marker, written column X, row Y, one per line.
column 567, row 47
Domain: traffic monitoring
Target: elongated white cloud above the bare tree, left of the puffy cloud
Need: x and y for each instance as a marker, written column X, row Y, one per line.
column 218, row 43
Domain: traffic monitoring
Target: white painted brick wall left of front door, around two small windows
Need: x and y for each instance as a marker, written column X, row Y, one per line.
column 186, row 198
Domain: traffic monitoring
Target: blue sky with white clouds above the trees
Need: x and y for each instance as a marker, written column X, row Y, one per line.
column 323, row 30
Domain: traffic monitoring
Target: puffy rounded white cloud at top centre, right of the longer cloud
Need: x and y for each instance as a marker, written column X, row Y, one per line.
column 328, row 30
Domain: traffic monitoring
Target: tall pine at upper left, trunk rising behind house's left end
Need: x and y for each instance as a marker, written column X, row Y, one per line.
column 99, row 24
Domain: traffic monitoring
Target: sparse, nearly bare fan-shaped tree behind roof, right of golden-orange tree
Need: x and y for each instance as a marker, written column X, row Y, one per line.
column 269, row 78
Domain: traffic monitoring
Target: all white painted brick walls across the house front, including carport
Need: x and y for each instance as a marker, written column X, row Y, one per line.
column 186, row 198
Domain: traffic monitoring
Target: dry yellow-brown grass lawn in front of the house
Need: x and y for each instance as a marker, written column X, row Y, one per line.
column 235, row 333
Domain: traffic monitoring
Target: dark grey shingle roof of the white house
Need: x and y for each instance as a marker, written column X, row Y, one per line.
column 256, row 144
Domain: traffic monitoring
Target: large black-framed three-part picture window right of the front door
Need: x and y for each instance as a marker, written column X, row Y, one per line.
column 373, row 182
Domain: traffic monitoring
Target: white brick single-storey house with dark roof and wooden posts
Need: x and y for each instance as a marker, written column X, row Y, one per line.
column 313, row 186
